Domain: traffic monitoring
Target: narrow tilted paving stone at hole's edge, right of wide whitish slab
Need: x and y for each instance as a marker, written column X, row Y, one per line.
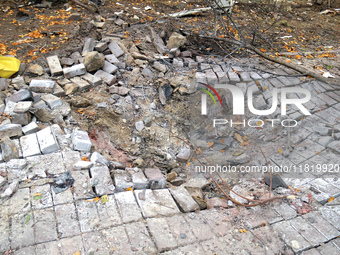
column 184, row 199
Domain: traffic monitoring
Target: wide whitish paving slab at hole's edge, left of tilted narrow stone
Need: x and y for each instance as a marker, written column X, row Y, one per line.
column 156, row 202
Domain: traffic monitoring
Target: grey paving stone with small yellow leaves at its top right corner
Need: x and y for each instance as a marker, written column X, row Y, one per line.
column 87, row 215
